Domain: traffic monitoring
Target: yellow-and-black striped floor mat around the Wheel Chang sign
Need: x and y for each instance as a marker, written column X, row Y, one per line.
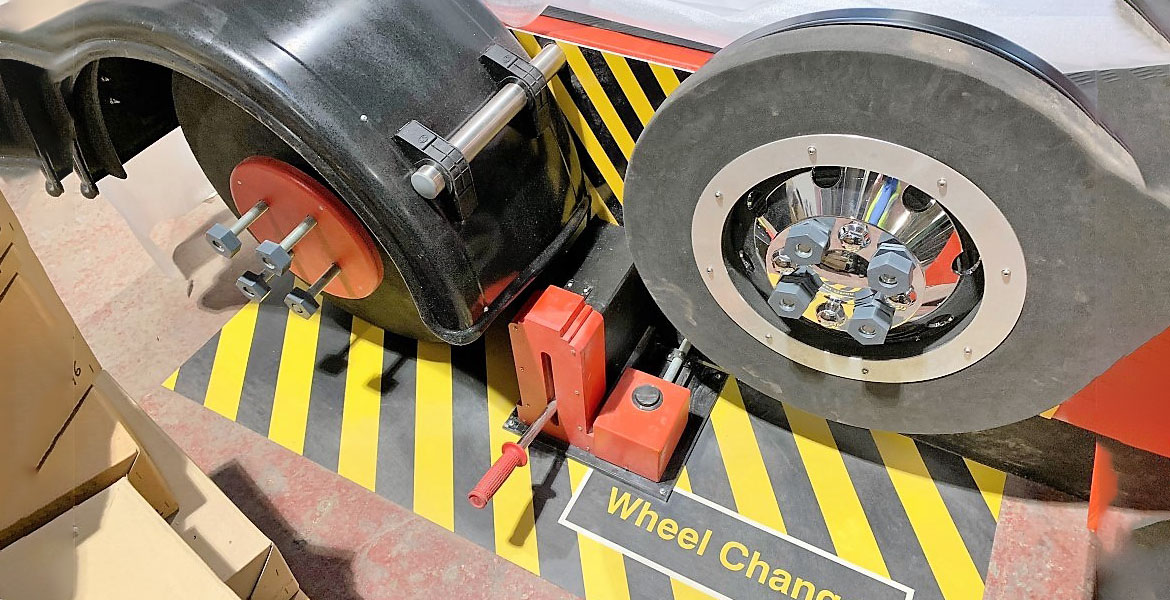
column 419, row 423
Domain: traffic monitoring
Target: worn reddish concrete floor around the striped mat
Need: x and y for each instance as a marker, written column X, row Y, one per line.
column 342, row 541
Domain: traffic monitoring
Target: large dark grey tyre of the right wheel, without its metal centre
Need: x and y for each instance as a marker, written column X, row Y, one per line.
column 1070, row 190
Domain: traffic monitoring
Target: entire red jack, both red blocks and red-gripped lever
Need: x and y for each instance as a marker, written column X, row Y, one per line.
column 559, row 346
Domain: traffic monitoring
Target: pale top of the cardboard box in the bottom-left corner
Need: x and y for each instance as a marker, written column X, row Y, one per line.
column 112, row 547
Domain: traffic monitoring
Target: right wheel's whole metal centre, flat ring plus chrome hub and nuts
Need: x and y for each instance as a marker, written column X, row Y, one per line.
column 777, row 215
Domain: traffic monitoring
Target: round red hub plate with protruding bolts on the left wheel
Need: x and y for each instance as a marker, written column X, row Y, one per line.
column 339, row 237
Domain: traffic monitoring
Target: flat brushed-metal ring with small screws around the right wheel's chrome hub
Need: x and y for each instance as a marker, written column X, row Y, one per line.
column 1006, row 281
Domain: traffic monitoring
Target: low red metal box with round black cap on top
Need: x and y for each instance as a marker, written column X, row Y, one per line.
column 642, row 439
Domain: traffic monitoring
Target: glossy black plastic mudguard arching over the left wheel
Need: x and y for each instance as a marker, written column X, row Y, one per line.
column 329, row 84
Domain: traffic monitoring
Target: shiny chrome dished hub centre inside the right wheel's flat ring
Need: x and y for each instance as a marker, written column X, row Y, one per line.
column 862, row 211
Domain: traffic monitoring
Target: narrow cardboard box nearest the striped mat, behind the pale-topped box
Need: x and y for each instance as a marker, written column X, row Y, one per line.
column 208, row 521
